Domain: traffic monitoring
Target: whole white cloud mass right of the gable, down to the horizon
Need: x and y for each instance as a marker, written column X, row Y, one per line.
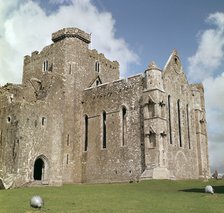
column 207, row 65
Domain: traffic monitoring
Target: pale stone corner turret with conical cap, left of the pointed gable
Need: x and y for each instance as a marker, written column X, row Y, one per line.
column 155, row 125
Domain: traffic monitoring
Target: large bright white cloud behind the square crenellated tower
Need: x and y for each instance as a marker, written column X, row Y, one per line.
column 27, row 27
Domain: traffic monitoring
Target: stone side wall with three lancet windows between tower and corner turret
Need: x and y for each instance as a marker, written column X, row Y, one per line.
column 120, row 160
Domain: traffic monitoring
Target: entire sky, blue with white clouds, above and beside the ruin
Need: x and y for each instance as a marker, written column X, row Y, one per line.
column 134, row 32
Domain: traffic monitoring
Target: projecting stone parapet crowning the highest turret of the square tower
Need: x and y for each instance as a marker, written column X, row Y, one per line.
column 71, row 33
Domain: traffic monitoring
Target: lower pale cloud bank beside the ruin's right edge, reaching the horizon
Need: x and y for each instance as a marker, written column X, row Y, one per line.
column 214, row 93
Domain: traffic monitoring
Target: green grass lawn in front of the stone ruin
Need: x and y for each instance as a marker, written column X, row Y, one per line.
column 146, row 196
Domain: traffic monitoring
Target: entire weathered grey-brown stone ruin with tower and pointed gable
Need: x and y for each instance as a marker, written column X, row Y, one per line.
column 72, row 120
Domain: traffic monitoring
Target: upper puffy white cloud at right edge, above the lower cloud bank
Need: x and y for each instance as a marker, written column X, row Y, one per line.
column 210, row 53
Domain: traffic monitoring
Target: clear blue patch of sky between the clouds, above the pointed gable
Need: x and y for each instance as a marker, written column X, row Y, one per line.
column 153, row 28
